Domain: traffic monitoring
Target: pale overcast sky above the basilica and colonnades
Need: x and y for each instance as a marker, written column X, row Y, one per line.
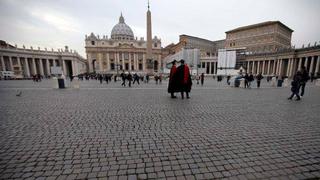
column 56, row 23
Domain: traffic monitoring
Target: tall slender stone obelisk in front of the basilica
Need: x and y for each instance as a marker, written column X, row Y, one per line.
column 149, row 43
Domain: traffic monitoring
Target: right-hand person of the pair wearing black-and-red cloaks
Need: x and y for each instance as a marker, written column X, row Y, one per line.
column 184, row 82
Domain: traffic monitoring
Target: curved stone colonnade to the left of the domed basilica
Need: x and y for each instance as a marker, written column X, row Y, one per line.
column 26, row 62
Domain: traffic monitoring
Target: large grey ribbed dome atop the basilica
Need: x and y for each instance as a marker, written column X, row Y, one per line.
column 122, row 31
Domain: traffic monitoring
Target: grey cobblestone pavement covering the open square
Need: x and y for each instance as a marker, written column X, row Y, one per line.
column 140, row 133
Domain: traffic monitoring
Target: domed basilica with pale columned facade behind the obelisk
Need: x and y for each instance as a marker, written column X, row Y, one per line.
column 122, row 51
